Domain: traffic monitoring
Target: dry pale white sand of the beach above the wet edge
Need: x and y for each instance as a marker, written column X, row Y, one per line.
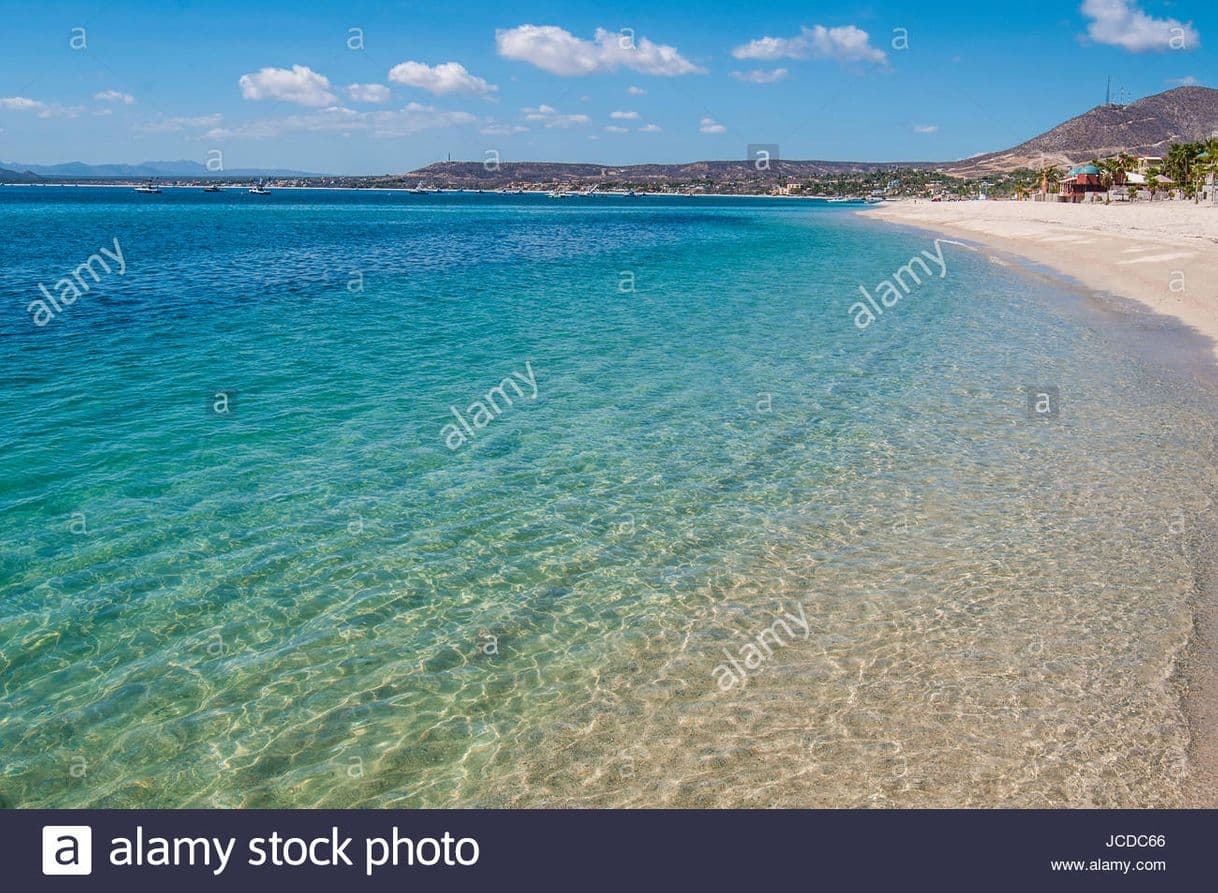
column 1163, row 254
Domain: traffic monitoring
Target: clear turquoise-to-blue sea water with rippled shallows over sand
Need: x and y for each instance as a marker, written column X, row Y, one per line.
column 315, row 602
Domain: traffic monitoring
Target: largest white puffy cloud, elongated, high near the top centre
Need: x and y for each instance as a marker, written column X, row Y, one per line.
column 558, row 52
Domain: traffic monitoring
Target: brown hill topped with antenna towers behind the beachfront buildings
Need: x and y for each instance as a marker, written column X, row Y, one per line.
column 1147, row 127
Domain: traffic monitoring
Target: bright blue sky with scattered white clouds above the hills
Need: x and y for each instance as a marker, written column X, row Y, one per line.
column 366, row 88
